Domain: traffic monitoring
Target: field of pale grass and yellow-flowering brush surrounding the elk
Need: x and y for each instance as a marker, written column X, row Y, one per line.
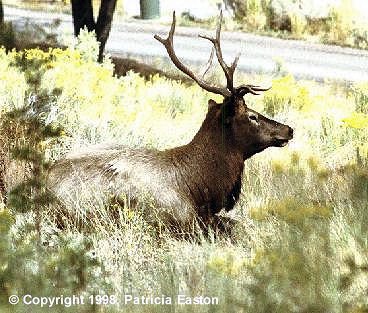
column 301, row 244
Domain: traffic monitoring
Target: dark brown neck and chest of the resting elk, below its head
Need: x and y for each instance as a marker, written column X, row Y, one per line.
column 209, row 167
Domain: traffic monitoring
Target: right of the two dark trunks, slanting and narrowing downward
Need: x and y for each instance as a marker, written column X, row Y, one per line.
column 103, row 25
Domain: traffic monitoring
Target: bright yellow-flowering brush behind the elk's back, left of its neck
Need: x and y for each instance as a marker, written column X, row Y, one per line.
column 93, row 104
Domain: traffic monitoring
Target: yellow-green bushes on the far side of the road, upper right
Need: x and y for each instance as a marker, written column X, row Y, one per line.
column 342, row 25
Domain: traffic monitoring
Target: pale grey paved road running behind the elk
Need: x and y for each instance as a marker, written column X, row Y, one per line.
column 304, row 60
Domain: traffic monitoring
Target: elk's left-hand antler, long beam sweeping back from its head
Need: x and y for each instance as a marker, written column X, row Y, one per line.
column 168, row 44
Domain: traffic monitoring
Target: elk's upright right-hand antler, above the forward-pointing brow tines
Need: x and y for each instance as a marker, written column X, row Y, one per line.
column 228, row 70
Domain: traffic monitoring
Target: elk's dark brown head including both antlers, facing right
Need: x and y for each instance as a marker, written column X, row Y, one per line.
column 241, row 127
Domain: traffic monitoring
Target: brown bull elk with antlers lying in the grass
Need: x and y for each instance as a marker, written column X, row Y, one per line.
column 188, row 183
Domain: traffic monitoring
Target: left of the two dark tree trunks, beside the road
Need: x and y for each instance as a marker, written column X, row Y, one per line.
column 82, row 12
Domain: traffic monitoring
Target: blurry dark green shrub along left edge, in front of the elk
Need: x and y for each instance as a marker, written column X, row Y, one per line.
column 32, row 260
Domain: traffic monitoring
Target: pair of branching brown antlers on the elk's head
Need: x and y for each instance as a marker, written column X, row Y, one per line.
column 228, row 70
